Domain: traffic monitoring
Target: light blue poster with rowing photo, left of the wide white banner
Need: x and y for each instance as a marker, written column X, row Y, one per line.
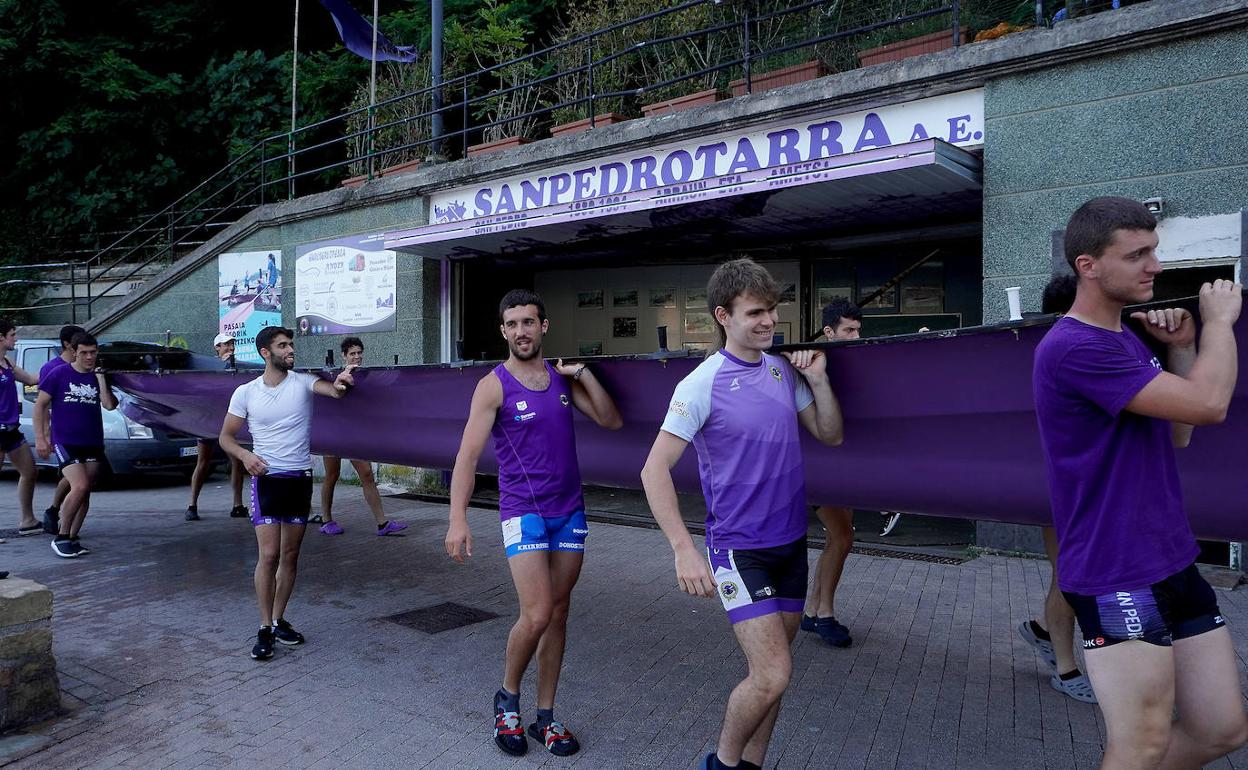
column 249, row 298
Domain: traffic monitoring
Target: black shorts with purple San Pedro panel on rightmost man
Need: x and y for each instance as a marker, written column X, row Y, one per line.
column 1180, row 607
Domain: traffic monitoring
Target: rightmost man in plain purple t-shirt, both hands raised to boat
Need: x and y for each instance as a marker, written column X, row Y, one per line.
column 1110, row 416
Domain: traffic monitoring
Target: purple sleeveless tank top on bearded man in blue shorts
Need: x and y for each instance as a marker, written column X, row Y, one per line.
column 536, row 449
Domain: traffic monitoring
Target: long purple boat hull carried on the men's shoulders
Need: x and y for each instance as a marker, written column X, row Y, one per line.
column 939, row 425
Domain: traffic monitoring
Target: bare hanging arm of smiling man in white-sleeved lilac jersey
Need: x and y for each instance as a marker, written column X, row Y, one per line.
column 693, row 573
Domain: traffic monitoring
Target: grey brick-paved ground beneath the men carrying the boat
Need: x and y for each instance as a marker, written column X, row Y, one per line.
column 153, row 632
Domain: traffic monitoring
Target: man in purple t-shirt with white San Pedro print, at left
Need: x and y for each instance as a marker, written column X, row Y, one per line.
column 69, row 404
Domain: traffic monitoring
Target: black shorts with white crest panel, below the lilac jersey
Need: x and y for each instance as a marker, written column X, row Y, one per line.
column 758, row 582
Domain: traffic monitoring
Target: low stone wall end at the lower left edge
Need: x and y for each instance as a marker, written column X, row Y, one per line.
column 29, row 690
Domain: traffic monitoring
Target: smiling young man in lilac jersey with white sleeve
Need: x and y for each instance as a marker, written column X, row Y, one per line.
column 742, row 410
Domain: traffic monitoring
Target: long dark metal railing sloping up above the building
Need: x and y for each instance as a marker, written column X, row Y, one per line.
column 617, row 68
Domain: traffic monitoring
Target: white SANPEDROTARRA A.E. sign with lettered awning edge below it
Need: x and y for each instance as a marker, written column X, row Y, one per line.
column 793, row 153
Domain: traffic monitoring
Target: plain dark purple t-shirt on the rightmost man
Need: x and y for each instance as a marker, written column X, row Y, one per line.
column 1113, row 479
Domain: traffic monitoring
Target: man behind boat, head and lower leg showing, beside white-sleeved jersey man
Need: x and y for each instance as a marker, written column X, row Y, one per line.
column 843, row 320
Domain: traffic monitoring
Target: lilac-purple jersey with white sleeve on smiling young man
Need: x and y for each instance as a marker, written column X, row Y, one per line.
column 743, row 421
